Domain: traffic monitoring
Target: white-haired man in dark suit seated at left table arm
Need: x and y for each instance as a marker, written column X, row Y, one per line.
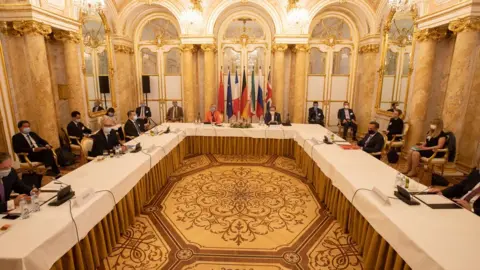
column 105, row 139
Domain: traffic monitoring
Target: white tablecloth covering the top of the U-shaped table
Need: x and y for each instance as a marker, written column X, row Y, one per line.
column 424, row 238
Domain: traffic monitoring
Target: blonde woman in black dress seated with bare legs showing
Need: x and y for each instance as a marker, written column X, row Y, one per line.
column 436, row 139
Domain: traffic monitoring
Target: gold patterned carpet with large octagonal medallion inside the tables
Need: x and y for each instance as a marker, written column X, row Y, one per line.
column 235, row 212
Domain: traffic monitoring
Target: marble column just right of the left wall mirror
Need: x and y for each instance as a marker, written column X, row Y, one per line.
column 125, row 90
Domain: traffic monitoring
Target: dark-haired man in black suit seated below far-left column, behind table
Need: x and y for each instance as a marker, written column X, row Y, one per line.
column 37, row 148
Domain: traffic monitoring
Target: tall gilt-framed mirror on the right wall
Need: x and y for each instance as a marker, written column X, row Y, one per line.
column 396, row 68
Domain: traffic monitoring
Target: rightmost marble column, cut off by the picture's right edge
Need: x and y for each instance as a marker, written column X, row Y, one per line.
column 458, row 111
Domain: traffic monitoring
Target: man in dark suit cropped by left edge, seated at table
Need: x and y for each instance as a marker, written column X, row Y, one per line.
column 9, row 182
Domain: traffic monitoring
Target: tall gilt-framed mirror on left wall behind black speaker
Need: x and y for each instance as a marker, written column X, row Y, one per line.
column 97, row 61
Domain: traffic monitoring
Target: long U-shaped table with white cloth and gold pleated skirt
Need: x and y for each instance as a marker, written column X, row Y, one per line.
column 422, row 237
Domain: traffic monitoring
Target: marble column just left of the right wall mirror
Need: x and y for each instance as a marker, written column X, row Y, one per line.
column 365, row 97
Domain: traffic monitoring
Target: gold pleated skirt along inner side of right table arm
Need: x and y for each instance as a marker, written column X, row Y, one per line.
column 376, row 252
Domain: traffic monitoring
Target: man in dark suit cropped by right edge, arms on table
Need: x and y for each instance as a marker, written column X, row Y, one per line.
column 466, row 193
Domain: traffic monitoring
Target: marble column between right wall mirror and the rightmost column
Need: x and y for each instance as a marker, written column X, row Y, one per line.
column 422, row 84
